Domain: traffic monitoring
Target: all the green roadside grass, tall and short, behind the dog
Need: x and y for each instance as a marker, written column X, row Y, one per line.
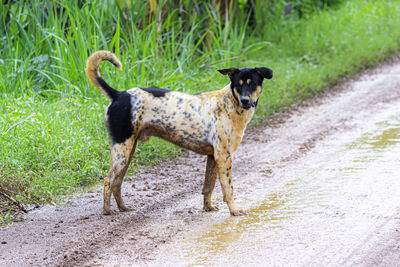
column 52, row 136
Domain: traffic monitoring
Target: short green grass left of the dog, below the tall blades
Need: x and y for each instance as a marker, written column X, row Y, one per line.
column 58, row 146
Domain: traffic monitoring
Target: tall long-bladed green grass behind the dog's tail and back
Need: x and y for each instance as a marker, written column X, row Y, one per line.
column 45, row 50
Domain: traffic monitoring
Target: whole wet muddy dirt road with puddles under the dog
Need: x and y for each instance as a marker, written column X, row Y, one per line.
column 321, row 185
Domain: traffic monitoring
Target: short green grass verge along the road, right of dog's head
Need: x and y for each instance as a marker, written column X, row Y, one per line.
column 313, row 54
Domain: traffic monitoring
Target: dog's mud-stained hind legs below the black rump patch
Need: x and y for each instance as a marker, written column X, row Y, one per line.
column 121, row 155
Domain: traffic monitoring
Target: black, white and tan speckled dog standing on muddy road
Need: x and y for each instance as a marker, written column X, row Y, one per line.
column 209, row 123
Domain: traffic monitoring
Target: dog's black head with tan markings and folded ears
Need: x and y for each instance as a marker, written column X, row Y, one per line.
column 246, row 84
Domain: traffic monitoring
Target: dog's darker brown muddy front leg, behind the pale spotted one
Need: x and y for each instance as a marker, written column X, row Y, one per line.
column 209, row 183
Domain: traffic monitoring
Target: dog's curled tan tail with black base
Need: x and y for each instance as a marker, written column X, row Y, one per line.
column 92, row 71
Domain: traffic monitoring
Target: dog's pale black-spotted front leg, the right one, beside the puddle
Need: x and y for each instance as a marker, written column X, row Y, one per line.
column 224, row 163
